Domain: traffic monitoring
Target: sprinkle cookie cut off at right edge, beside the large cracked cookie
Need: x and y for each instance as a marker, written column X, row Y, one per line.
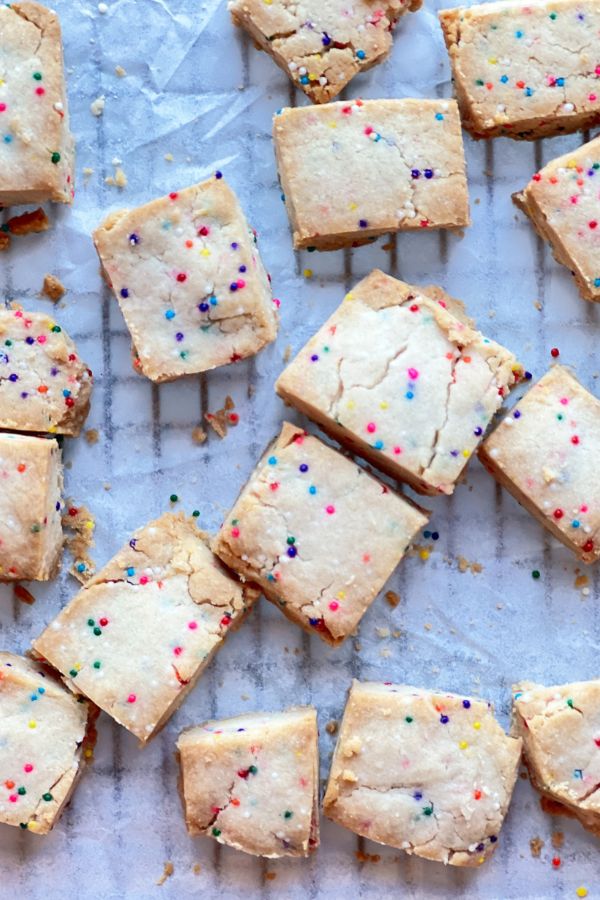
column 553, row 477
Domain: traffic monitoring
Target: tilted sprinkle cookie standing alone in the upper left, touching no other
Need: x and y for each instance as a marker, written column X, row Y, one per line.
column 189, row 281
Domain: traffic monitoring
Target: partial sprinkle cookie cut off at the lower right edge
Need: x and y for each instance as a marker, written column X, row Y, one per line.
column 560, row 729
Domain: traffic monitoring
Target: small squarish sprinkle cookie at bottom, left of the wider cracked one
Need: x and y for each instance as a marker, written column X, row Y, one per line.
column 251, row 782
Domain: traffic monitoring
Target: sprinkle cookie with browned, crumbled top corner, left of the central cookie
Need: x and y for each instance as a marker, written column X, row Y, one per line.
column 144, row 627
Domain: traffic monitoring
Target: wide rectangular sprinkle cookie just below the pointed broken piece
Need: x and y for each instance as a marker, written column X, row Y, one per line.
column 354, row 170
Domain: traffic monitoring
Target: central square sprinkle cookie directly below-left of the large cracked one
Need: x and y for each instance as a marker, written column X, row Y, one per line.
column 319, row 534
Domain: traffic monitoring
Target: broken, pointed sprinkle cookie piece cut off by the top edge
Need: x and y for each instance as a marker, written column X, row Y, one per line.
column 322, row 44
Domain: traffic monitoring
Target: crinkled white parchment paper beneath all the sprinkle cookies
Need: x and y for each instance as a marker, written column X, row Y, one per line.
column 197, row 89
